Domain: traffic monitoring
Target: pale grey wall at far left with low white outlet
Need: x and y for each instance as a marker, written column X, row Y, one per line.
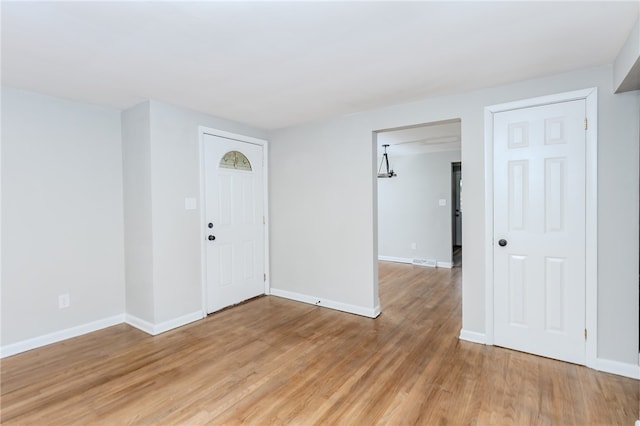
column 62, row 225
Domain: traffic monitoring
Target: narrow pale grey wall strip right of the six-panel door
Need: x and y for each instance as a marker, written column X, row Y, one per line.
column 618, row 226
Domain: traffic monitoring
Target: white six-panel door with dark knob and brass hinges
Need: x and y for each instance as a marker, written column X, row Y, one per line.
column 539, row 230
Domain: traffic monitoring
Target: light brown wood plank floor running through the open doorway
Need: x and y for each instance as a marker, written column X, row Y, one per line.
column 274, row 361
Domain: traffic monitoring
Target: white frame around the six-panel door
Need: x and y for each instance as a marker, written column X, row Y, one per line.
column 591, row 210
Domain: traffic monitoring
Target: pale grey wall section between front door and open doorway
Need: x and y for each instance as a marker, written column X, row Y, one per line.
column 322, row 198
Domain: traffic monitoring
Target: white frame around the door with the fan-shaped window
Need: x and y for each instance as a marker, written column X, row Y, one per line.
column 202, row 131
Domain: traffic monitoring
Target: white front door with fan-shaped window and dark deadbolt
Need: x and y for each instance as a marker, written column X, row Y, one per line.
column 234, row 215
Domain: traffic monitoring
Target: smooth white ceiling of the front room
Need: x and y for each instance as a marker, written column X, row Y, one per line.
column 278, row 64
